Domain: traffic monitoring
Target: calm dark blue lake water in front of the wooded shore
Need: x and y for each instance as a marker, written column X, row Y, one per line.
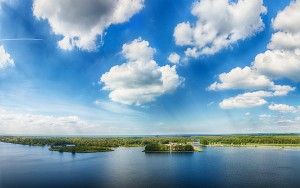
column 25, row 166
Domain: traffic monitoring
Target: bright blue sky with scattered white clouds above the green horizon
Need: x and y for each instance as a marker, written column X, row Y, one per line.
column 52, row 88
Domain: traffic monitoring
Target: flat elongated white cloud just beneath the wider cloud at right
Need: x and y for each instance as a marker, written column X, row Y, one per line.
column 246, row 100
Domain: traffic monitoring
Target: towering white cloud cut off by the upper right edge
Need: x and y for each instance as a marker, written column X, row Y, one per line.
column 282, row 60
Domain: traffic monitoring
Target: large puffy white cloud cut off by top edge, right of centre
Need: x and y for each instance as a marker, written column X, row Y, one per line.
column 219, row 24
